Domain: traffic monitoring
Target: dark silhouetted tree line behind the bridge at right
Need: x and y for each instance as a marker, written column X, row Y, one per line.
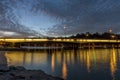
column 105, row 35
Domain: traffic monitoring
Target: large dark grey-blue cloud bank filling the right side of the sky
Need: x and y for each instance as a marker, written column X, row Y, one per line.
column 82, row 15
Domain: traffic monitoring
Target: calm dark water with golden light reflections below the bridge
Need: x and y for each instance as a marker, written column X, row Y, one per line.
column 88, row 64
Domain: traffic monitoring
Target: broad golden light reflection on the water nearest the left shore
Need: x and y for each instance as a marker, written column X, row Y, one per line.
column 25, row 58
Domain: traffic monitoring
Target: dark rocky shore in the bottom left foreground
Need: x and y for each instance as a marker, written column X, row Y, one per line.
column 20, row 73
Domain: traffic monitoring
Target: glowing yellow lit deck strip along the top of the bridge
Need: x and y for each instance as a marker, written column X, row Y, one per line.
column 58, row 40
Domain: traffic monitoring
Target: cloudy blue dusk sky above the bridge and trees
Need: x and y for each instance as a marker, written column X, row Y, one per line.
column 58, row 17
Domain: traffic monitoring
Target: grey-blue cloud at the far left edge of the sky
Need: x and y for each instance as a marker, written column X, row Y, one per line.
column 9, row 21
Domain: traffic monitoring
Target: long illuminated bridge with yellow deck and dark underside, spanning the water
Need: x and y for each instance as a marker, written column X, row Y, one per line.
column 55, row 42
